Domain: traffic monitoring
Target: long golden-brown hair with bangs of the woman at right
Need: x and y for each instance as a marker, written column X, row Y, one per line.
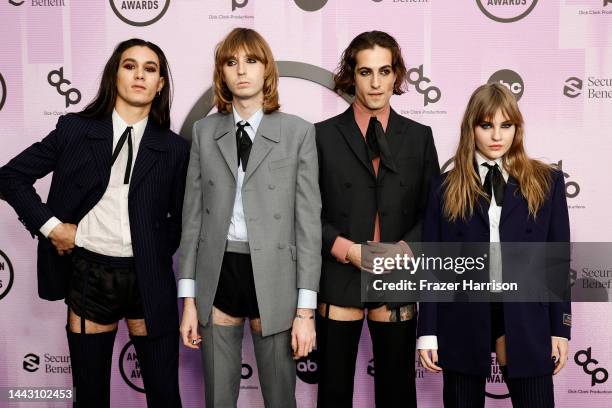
column 463, row 186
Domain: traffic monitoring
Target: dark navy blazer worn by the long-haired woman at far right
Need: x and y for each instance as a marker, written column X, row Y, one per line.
column 464, row 329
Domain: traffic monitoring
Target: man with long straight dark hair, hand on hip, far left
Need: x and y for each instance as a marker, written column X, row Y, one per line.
column 111, row 223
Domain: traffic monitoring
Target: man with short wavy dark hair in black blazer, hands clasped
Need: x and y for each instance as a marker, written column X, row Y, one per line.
column 375, row 167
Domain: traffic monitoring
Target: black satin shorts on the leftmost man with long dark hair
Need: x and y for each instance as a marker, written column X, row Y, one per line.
column 103, row 289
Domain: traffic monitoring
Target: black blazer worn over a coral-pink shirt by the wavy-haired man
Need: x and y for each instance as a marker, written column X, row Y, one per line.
column 350, row 192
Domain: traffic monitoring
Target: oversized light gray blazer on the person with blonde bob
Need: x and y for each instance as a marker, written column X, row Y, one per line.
column 282, row 208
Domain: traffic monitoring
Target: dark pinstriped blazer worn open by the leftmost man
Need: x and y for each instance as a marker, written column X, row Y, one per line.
column 78, row 152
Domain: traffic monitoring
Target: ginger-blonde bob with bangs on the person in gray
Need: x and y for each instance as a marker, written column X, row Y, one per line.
column 256, row 48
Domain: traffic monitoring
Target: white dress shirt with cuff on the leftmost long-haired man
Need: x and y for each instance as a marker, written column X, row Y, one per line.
column 105, row 229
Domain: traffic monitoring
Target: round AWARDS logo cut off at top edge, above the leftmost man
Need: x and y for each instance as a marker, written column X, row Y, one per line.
column 140, row 13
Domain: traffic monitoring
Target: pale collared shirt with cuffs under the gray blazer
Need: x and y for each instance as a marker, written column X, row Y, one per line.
column 237, row 231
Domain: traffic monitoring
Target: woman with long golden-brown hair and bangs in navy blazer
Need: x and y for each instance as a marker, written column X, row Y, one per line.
column 495, row 191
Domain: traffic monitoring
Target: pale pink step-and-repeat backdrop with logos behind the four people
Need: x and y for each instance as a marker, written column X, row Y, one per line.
column 556, row 56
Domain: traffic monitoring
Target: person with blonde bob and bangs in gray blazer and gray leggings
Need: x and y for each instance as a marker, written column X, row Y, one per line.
column 251, row 244
